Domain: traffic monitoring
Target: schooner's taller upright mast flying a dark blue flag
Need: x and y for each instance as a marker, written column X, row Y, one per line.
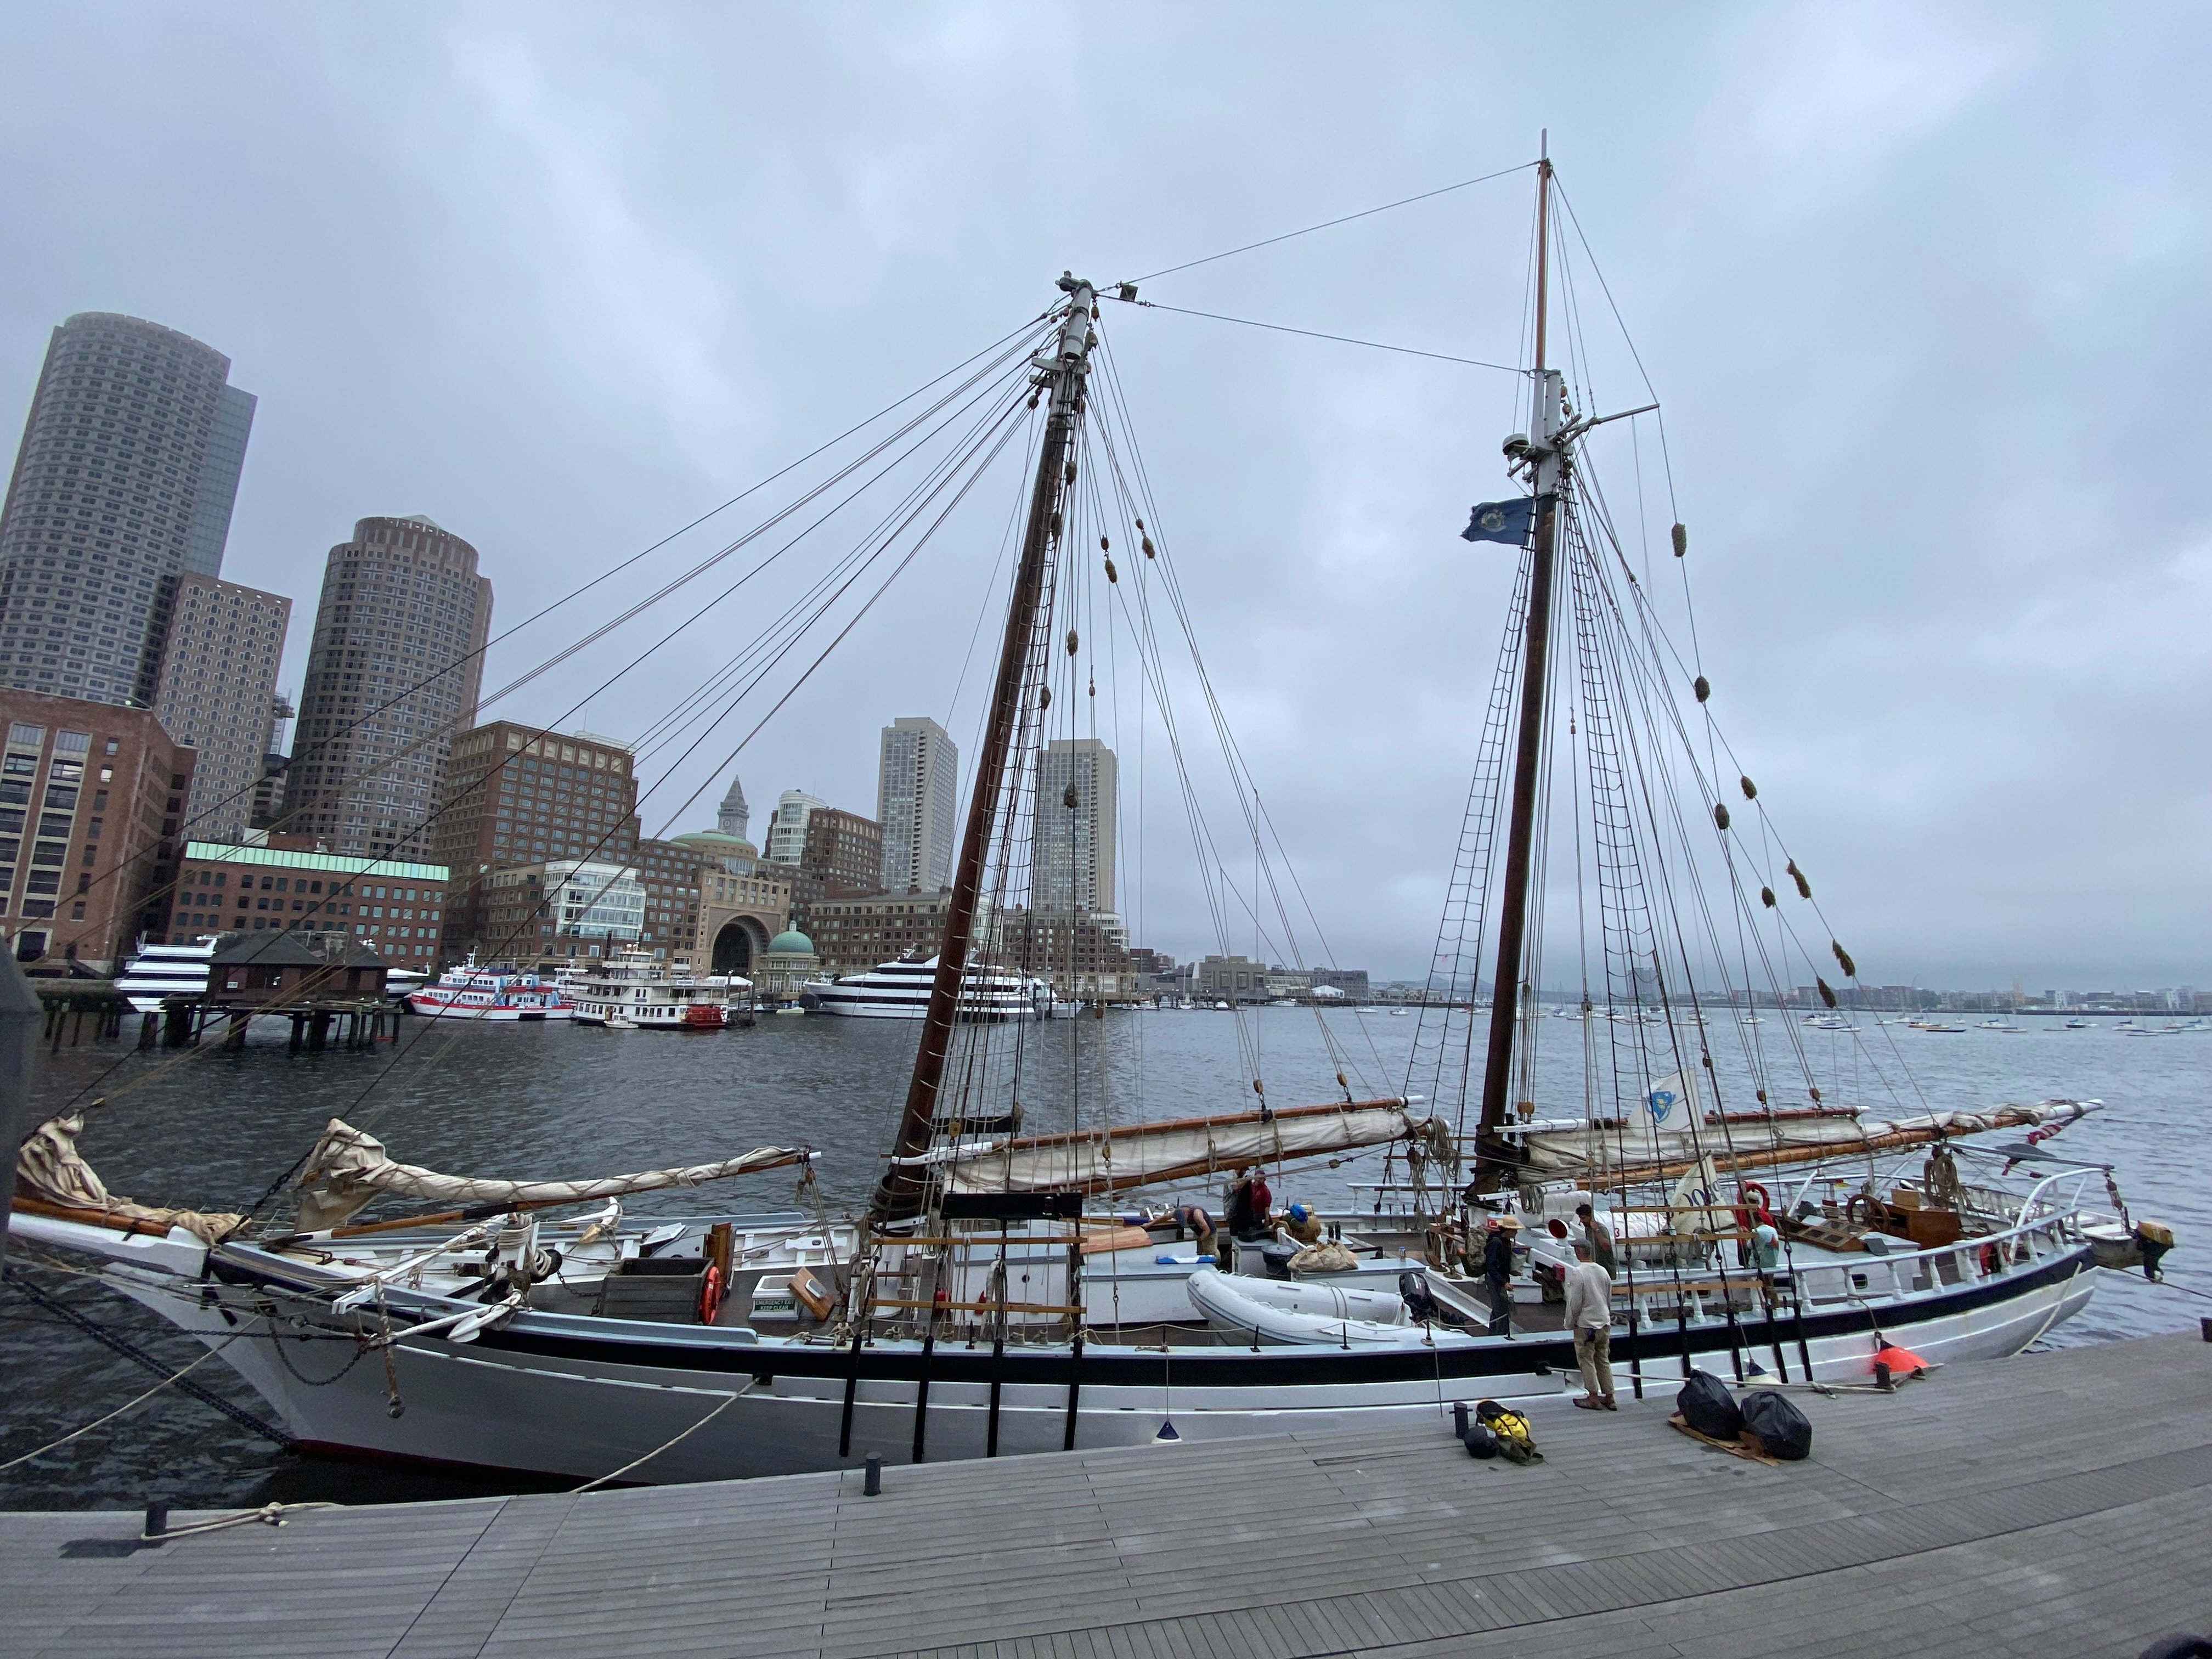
column 1547, row 463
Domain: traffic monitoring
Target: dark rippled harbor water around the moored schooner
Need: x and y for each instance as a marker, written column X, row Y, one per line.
column 216, row 1129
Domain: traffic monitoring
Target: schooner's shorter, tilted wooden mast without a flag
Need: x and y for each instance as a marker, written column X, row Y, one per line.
column 904, row 1189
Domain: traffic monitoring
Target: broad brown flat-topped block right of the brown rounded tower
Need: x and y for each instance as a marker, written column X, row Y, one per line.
column 519, row 797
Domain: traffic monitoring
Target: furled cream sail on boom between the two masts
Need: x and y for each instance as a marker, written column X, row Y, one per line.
column 1114, row 1160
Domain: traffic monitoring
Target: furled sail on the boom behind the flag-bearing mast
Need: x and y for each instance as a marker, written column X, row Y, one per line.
column 1669, row 1142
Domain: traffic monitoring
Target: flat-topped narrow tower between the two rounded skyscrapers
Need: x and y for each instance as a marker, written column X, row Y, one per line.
column 218, row 691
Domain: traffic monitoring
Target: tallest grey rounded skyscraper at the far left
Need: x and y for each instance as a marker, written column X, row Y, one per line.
column 125, row 481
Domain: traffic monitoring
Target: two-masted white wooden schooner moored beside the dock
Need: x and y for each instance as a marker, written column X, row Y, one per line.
column 1003, row 1295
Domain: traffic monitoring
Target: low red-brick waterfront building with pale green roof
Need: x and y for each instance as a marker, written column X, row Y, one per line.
column 388, row 906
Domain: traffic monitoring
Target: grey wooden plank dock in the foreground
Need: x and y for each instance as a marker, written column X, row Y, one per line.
column 2049, row 1505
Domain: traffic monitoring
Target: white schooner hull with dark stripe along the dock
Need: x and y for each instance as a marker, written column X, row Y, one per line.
column 585, row 1397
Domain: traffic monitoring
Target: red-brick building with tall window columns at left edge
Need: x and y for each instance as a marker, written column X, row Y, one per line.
column 92, row 802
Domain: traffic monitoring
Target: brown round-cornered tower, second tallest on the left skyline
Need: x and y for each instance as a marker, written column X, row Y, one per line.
column 393, row 676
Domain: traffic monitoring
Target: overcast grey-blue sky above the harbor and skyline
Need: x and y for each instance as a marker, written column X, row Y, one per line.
column 1923, row 291
